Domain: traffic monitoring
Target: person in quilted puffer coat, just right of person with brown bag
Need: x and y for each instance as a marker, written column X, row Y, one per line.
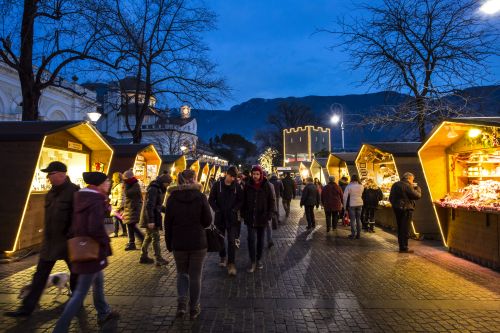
column 132, row 208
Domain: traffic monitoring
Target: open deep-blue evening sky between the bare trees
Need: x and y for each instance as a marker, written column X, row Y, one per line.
column 268, row 49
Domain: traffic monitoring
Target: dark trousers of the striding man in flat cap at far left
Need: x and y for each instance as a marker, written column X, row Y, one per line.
column 43, row 269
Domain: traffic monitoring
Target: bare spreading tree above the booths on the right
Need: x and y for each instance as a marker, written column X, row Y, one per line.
column 425, row 48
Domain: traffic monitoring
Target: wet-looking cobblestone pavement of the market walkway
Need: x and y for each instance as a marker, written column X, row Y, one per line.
column 311, row 282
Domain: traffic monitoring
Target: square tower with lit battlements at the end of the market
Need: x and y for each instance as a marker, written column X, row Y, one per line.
column 300, row 144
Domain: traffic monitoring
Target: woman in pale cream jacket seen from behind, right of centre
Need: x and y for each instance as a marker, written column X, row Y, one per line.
column 354, row 192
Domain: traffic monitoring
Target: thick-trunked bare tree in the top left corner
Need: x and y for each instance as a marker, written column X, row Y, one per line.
column 66, row 32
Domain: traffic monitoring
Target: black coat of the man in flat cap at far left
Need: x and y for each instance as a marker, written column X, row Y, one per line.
column 58, row 217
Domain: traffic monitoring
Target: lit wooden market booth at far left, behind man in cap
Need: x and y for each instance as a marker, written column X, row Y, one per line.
column 28, row 147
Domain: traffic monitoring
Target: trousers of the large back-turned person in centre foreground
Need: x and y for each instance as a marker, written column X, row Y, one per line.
column 189, row 266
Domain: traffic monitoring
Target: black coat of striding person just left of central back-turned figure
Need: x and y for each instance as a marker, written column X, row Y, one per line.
column 152, row 208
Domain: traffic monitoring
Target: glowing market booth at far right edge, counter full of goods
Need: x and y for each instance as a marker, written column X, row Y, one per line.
column 461, row 161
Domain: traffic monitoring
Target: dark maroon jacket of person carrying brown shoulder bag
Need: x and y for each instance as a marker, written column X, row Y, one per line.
column 88, row 220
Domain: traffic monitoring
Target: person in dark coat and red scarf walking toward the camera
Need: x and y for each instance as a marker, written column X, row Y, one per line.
column 257, row 210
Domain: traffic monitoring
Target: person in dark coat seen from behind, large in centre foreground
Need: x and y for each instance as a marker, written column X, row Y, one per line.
column 186, row 217
